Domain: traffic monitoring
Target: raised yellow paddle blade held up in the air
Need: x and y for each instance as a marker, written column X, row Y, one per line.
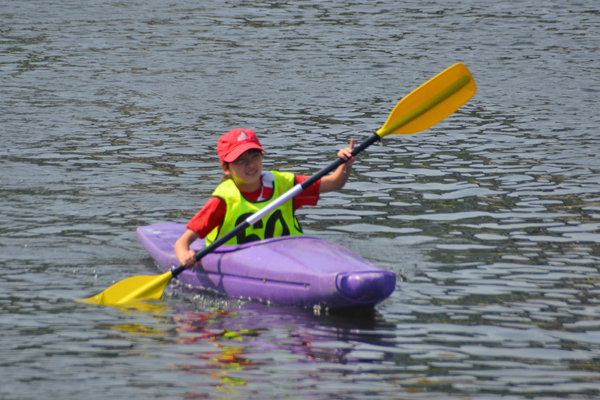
column 431, row 102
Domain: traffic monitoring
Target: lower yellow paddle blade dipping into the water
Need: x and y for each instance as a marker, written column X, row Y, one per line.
column 134, row 288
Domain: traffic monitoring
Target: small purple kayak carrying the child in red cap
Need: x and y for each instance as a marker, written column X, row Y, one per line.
column 290, row 270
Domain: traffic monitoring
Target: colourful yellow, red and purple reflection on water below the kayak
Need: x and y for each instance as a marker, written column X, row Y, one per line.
column 239, row 349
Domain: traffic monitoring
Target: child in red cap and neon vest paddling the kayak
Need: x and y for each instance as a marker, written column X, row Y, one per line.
column 246, row 189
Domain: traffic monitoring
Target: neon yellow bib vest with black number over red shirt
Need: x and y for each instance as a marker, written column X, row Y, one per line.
column 280, row 222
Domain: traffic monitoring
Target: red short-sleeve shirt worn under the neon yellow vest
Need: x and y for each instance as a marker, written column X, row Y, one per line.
column 213, row 212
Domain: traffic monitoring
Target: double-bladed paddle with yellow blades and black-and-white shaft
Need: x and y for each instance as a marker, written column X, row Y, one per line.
column 424, row 107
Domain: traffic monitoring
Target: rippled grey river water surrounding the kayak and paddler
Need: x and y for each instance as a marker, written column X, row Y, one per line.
column 109, row 116
